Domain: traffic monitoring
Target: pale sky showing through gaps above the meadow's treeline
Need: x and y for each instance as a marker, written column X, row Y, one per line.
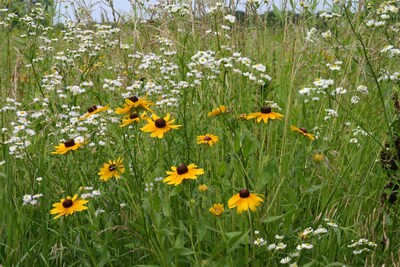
column 124, row 6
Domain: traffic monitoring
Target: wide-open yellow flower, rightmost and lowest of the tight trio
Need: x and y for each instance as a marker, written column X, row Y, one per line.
column 158, row 126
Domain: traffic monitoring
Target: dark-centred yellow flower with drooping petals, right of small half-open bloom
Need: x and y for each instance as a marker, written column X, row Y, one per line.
column 244, row 200
